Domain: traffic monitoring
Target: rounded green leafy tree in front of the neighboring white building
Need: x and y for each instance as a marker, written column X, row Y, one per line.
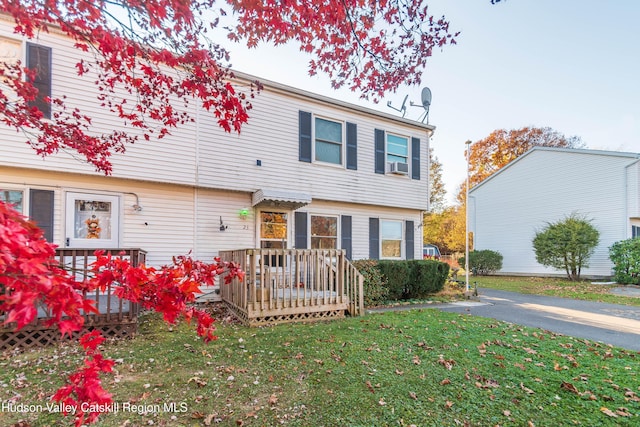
column 567, row 244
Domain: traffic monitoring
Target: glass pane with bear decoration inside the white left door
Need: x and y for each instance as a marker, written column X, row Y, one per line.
column 92, row 219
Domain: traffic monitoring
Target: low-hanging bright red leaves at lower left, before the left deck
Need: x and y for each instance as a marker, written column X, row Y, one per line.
column 30, row 277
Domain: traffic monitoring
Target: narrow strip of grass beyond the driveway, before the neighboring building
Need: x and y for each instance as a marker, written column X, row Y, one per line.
column 554, row 287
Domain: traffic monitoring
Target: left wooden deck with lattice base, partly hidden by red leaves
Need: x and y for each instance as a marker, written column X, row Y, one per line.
column 117, row 318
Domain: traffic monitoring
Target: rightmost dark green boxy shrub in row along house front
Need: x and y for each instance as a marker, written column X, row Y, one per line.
column 426, row 277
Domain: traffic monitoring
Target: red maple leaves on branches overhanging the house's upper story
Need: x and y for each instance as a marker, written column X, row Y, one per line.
column 152, row 64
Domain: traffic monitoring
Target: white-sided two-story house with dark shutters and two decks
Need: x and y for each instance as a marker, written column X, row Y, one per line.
column 307, row 171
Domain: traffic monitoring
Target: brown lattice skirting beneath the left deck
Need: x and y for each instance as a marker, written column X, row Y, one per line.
column 39, row 335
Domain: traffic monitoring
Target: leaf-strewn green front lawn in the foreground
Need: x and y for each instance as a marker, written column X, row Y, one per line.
column 416, row 367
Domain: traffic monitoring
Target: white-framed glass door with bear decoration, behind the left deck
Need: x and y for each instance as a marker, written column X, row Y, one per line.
column 92, row 220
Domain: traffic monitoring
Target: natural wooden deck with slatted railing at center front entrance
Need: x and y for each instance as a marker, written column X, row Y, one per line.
column 287, row 285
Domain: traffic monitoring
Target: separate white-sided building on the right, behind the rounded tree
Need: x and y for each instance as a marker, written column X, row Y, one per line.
column 545, row 185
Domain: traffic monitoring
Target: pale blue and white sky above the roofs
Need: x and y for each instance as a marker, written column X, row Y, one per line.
column 571, row 65
